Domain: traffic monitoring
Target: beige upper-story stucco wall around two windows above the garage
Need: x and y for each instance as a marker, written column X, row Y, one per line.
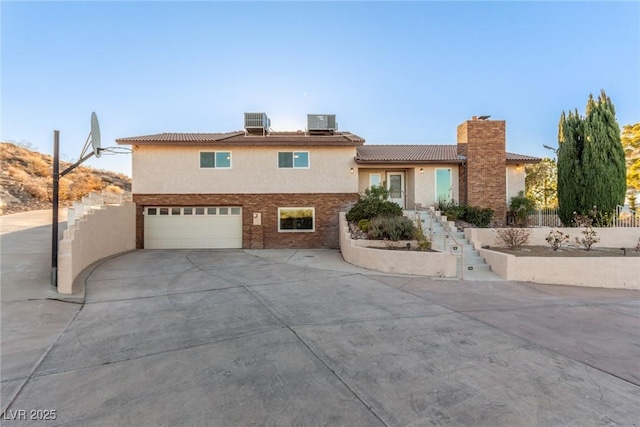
column 176, row 170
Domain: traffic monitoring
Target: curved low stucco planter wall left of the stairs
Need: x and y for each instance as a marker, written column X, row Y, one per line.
column 399, row 262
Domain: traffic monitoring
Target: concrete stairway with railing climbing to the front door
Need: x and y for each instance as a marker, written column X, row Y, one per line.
column 475, row 267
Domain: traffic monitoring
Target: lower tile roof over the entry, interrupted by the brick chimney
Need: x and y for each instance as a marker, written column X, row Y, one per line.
column 422, row 154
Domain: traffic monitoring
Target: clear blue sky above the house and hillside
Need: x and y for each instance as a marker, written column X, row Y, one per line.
column 392, row 72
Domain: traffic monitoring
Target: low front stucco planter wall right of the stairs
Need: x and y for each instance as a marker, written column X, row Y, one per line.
column 605, row 272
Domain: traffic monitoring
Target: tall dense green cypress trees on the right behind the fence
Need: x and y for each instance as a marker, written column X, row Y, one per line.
column 591, row 161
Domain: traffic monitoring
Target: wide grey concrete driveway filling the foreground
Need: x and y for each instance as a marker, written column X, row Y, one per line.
column 243, row 338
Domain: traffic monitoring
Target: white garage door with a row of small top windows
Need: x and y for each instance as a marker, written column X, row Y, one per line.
column 192, row 227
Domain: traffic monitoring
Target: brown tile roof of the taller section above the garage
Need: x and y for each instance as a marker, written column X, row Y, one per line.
column 240, row 138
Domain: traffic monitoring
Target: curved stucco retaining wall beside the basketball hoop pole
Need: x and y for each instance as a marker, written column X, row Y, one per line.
column 99, row 234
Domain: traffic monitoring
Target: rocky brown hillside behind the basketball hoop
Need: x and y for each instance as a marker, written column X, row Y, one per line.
column 25, row 180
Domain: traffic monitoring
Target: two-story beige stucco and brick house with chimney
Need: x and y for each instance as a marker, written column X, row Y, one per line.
column 259, row 189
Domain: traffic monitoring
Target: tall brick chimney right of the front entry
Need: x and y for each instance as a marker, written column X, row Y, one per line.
column 483, row 182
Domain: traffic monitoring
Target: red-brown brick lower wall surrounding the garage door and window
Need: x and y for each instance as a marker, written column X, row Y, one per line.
column 264, row 236
